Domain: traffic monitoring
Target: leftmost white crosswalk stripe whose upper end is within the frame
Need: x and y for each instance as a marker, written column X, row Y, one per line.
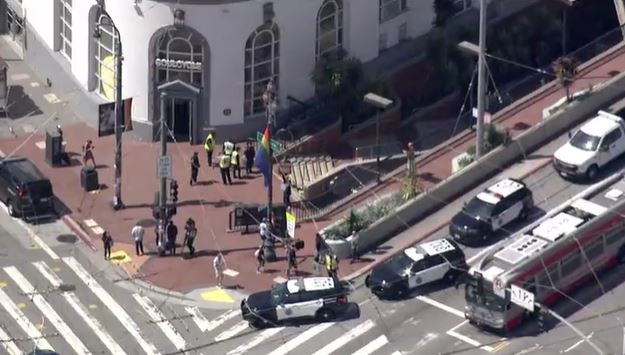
column 47, row 310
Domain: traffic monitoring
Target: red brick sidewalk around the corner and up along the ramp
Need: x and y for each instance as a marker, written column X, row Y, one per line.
column 209, row 203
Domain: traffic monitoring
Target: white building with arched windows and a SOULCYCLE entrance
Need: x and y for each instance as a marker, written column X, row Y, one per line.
column 219, row 53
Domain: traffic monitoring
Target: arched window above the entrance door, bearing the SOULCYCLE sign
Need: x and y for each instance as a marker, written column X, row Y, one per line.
column 180, row 45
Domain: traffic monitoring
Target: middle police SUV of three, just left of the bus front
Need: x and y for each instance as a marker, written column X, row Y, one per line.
column 427, row 262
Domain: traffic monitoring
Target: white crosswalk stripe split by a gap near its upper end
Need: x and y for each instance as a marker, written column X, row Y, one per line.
column 74, row 301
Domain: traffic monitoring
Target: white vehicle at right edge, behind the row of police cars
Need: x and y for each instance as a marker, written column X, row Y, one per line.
column 597, row 143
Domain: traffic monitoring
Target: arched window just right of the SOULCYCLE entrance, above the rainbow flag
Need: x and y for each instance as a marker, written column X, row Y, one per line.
column 262, row 62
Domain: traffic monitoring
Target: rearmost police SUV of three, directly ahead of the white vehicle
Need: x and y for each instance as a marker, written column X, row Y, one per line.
column 491, row 210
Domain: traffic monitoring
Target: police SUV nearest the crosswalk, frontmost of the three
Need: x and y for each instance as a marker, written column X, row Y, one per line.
column 298, row 298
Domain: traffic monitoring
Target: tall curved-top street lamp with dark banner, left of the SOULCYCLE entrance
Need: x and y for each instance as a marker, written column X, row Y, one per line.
column 119, row 120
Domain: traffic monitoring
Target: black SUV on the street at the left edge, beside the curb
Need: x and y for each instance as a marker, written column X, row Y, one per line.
column 24, row 189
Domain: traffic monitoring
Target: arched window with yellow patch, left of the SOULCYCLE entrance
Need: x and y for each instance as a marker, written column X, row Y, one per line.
column 105, row 70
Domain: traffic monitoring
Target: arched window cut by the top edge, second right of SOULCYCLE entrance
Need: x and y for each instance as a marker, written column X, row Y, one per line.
column 329, row 28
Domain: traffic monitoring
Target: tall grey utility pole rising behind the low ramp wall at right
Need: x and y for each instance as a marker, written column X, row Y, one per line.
column 481, row 83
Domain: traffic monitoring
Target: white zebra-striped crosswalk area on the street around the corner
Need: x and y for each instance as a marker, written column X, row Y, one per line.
column 62, row 305
